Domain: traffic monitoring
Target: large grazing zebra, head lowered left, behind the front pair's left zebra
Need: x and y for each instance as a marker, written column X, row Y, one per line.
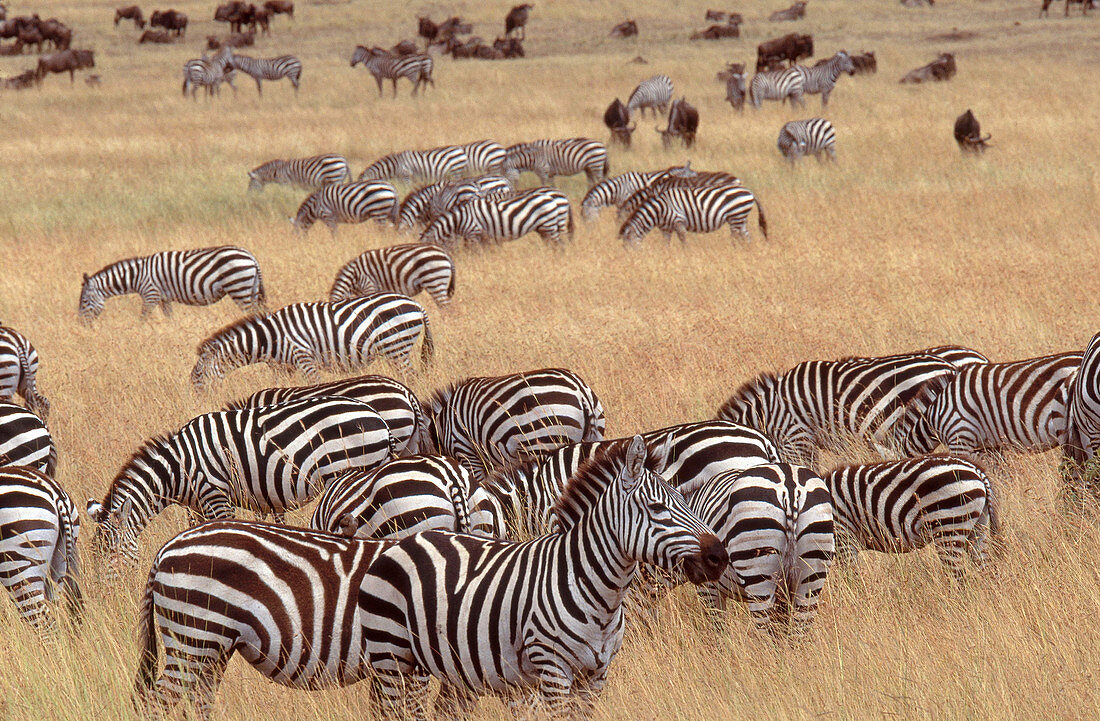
column 269, row 461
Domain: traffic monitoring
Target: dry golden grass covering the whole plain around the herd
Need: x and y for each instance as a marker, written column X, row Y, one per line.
column 903, row 244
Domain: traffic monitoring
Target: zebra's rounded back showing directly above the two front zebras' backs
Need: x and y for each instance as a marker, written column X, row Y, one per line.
column 404, row 497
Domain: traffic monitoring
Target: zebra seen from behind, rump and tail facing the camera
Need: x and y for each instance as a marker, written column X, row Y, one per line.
column 777, row 525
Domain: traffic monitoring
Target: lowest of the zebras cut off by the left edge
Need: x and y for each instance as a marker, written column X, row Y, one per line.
column 39, row 530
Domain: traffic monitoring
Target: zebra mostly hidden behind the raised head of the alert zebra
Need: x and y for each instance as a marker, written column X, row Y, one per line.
column 683, row 455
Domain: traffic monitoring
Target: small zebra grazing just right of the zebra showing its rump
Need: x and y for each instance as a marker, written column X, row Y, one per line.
column 898, row 507
